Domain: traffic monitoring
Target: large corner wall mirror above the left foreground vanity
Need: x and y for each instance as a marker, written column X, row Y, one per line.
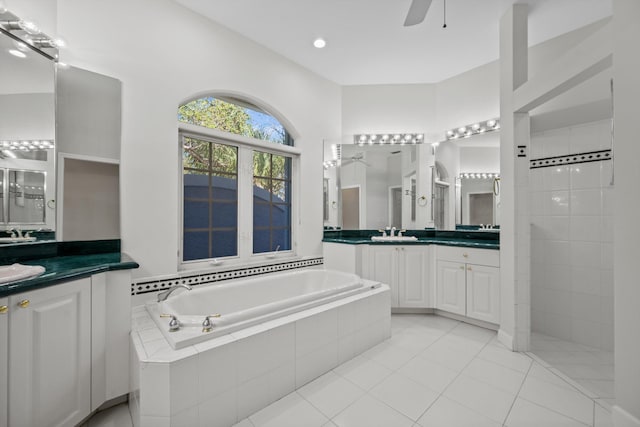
column 55, row 122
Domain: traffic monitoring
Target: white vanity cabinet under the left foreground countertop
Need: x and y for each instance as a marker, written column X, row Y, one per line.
column 64, row 350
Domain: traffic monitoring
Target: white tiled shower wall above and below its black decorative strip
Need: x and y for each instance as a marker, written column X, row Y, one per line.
column 572, row 238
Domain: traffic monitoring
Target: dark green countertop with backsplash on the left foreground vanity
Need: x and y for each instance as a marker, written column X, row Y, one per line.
column 63, row 265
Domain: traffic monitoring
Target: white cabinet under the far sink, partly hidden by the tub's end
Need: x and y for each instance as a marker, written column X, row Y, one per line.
column 405, row 268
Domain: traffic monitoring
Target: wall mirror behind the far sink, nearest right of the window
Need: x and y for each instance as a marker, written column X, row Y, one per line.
column 373, row 186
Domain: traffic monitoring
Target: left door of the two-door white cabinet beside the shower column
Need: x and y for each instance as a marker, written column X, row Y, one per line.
column 450, row 287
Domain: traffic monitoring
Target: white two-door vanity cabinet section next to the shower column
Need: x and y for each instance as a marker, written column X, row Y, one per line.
column 468, row 282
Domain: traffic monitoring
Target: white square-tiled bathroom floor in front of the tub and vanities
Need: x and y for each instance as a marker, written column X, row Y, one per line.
column 432, row 372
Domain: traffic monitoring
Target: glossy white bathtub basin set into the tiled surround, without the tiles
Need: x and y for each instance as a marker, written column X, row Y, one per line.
column 236, row 305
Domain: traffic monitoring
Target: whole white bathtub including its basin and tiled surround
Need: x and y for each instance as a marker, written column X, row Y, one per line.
column 276, row 333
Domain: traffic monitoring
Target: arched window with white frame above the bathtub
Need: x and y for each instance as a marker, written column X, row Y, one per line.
column 237, row 182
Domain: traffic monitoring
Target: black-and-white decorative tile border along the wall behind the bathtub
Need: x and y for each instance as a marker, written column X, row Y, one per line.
column 201, row 279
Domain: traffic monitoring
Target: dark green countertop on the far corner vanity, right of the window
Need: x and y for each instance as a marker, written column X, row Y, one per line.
column 473, row 239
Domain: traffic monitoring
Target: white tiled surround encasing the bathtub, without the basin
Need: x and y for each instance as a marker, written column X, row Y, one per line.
column 232, row 376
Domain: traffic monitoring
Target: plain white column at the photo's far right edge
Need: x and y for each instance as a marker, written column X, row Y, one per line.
column 626, row 69
